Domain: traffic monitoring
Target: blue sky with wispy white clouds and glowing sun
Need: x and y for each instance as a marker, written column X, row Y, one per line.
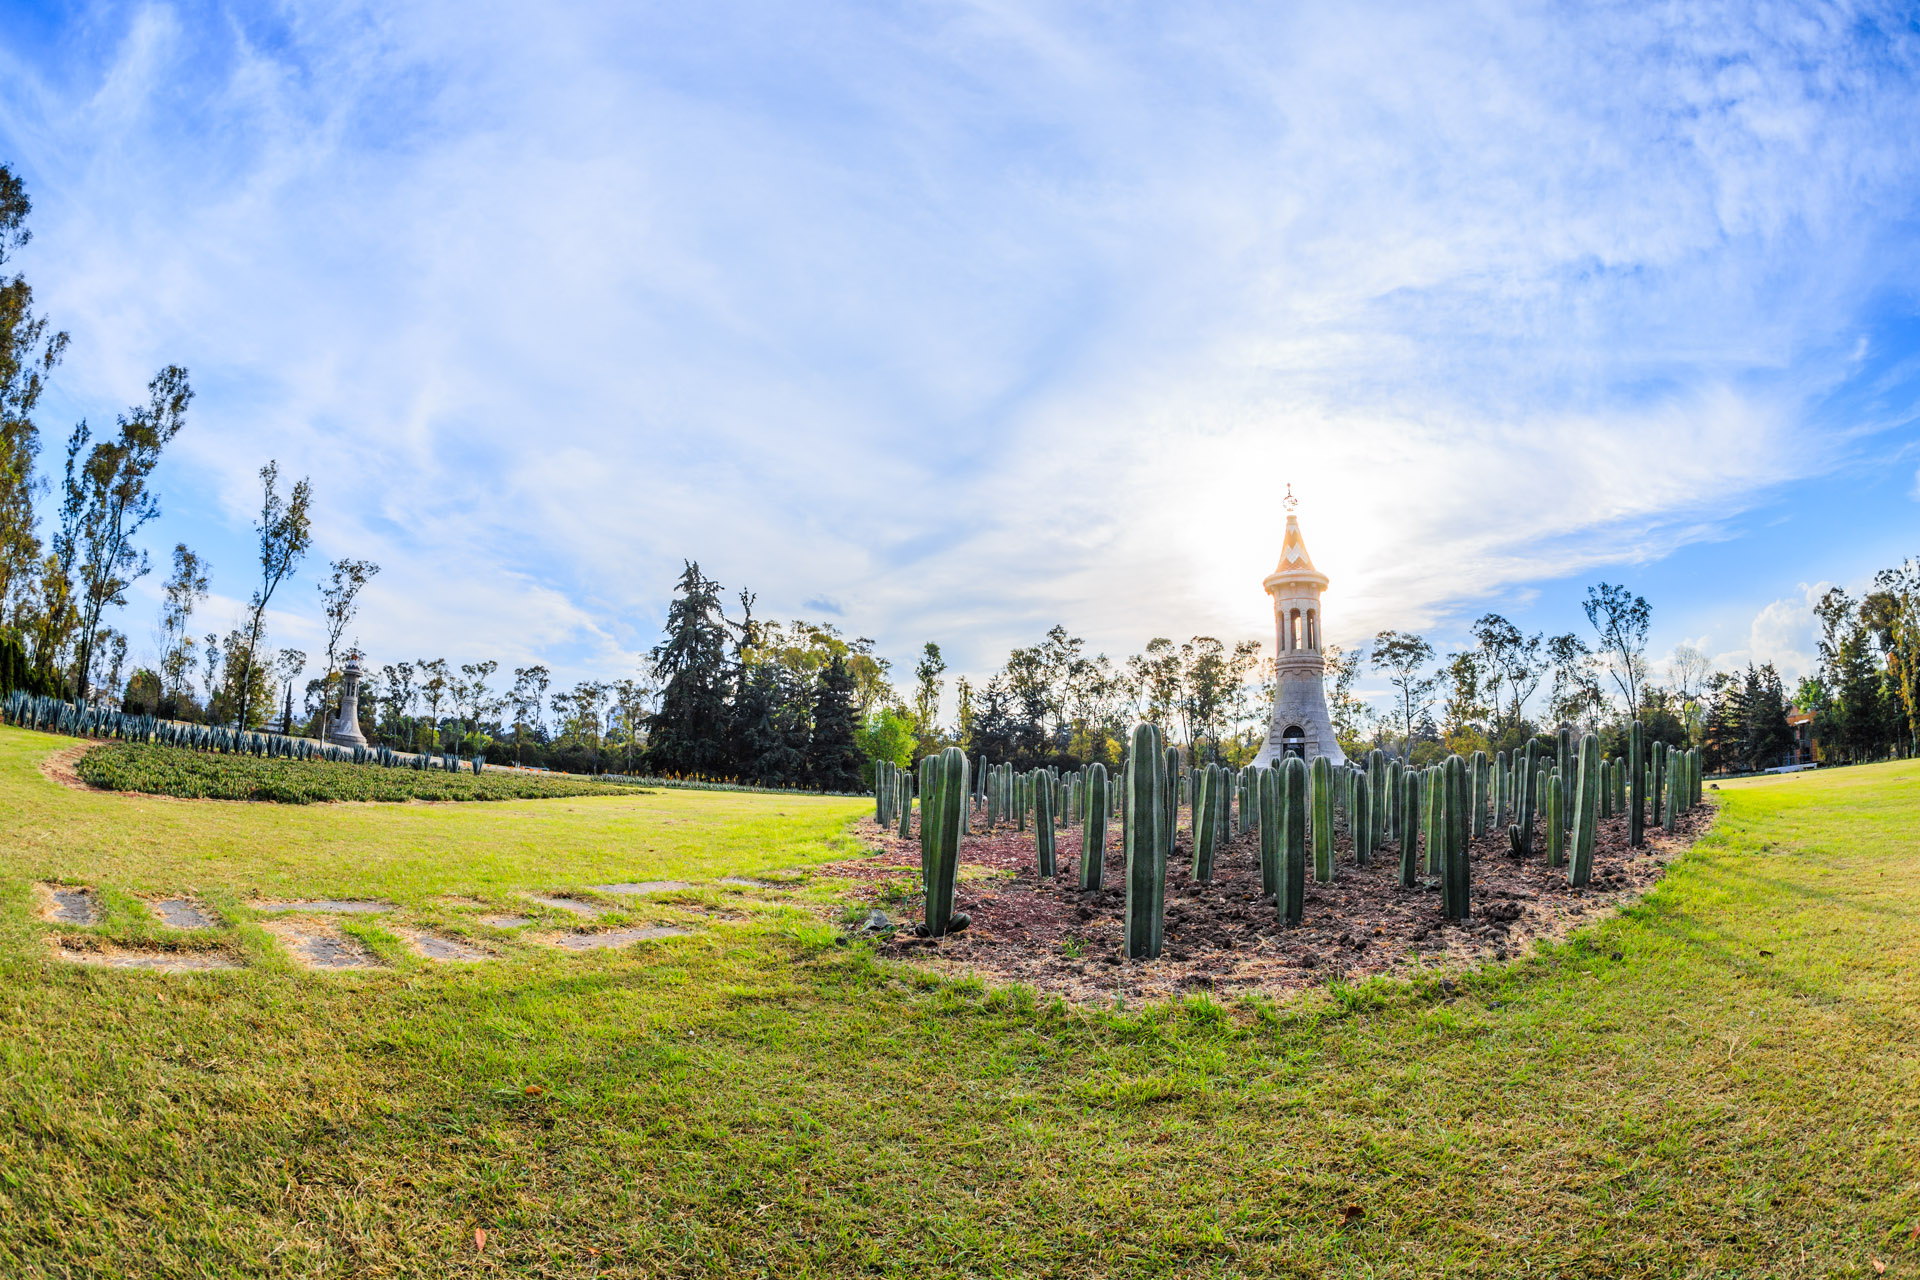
column 949, row 321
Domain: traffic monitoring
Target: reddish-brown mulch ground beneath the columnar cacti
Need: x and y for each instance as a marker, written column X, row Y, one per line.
column 1222, row 936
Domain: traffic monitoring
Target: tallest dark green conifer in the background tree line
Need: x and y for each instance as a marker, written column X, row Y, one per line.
column 688, row 734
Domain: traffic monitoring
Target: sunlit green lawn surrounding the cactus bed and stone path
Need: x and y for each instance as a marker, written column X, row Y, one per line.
column 1721, row 1083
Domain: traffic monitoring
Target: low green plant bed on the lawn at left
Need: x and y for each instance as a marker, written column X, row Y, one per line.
column 203, row 776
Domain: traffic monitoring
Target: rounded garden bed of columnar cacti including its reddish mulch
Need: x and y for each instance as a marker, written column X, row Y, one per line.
column 1239, row 897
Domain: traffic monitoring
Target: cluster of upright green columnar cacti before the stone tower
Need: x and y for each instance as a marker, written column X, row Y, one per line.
column 1295, row 807
